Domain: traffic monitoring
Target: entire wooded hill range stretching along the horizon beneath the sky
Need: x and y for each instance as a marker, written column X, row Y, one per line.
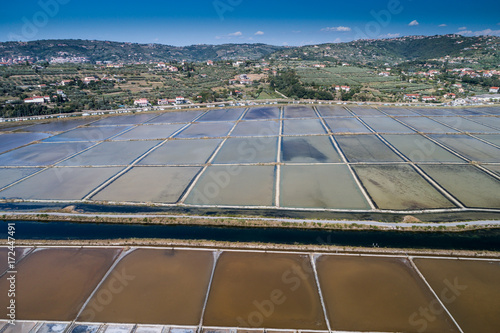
column 485, row 49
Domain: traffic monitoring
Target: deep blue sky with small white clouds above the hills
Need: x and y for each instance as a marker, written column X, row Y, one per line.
column 275, row 22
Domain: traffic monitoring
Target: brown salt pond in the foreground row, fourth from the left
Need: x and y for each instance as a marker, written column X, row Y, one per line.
column 376, row 294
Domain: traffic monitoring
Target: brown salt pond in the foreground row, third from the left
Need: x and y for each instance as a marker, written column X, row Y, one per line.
column 282, row 285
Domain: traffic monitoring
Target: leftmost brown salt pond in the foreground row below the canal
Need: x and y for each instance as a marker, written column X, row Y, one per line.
column 53, row 284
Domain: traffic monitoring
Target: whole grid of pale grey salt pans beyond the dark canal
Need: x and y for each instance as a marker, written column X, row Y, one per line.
column 325, row 158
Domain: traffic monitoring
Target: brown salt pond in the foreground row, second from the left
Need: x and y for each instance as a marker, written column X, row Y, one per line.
column 163, row 287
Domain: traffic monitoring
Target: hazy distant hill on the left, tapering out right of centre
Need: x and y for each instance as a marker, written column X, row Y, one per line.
column 132, row 52
